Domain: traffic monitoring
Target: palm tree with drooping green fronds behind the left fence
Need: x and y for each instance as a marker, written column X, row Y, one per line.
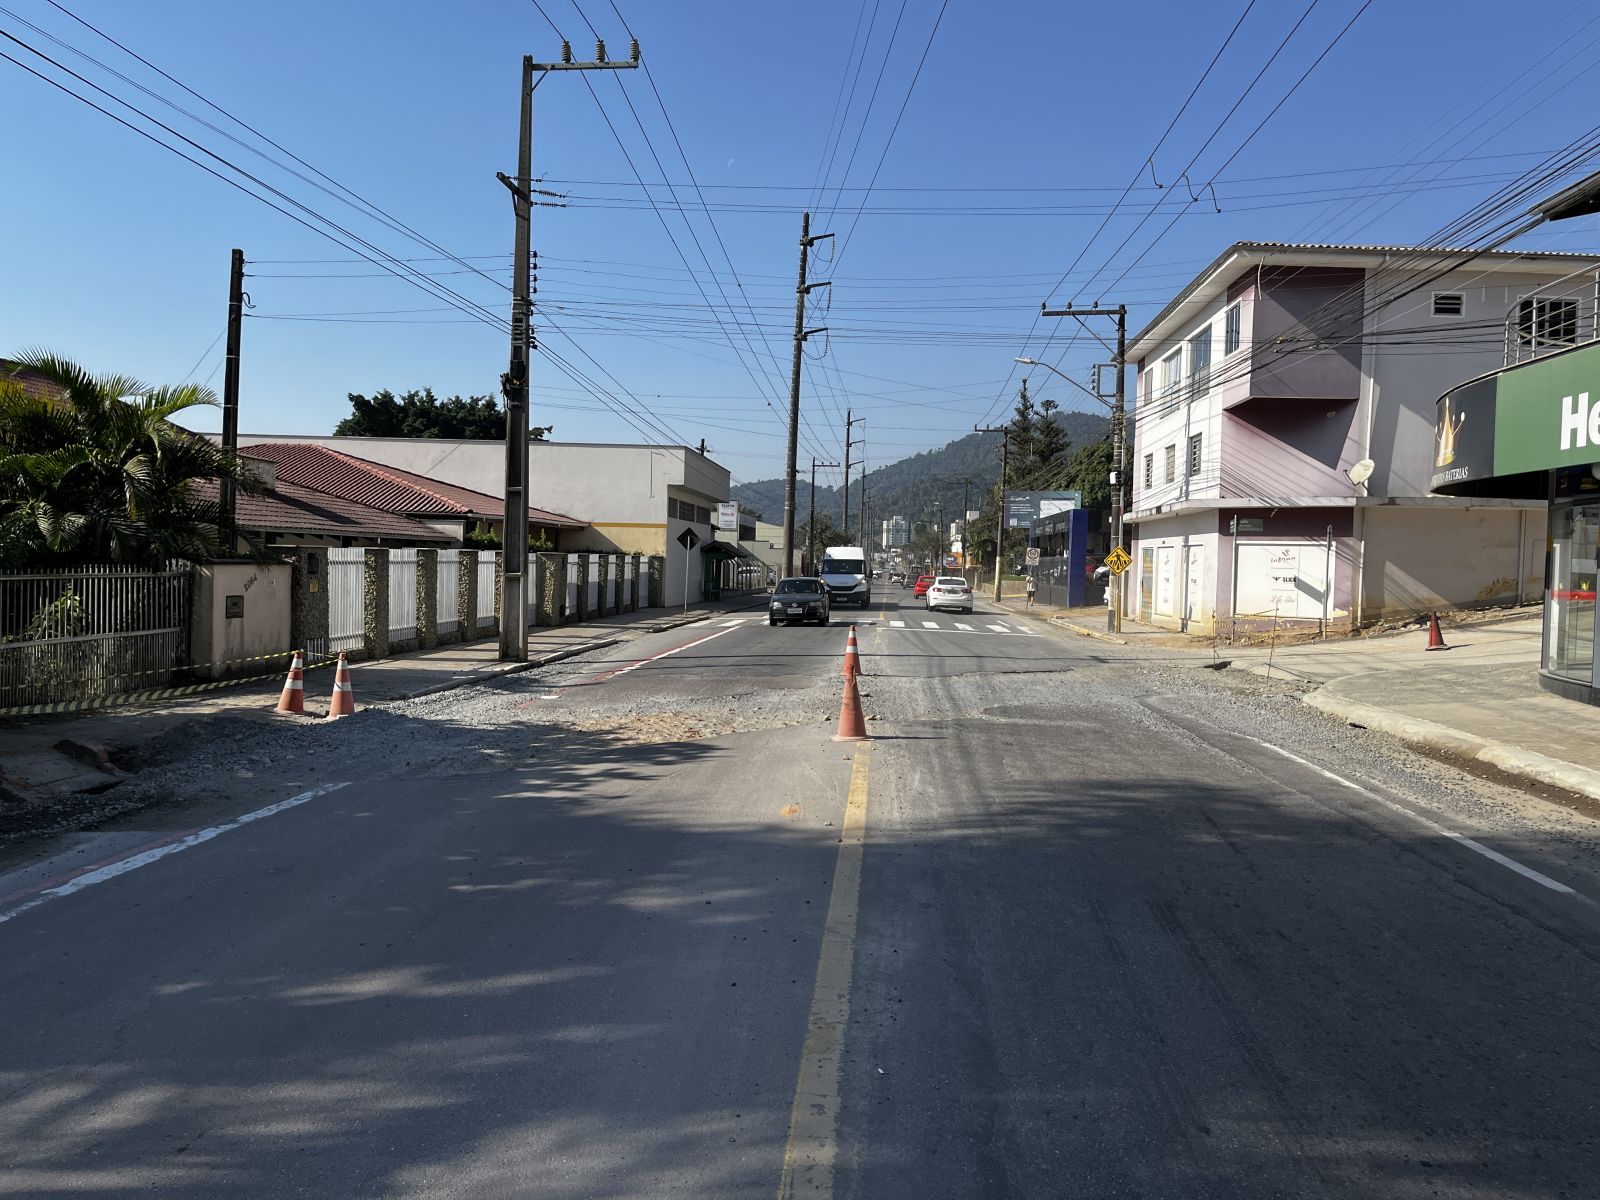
column 94, row 470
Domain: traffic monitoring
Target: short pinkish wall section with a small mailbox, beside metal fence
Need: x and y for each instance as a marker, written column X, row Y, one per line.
column 223, row 646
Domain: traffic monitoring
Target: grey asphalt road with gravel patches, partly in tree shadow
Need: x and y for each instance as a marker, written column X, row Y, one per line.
column 1068, row 927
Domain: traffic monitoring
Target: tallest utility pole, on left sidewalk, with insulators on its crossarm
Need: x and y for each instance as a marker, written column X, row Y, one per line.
column 514, row 385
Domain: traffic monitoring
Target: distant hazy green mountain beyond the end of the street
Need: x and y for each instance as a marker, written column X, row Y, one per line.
column 916, row 487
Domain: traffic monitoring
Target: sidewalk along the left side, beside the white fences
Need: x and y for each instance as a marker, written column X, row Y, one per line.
column 44, row 758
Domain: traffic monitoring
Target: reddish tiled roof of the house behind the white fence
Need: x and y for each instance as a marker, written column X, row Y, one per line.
column 385, row 487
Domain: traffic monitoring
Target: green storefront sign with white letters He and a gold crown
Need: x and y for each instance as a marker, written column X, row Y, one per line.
column 1519, row 423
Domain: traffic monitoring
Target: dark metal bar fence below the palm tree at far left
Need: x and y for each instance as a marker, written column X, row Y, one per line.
column 87, row 633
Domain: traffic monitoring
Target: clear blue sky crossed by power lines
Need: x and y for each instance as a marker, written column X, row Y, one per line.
column 1025, row 127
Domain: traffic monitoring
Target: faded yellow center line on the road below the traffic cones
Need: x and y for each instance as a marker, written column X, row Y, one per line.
column 814, row 1121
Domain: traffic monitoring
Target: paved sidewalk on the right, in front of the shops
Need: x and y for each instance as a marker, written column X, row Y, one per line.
column 1479, row 700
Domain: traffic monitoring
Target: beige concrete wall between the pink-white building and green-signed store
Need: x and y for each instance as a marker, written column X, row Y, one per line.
column 1420, row 559
